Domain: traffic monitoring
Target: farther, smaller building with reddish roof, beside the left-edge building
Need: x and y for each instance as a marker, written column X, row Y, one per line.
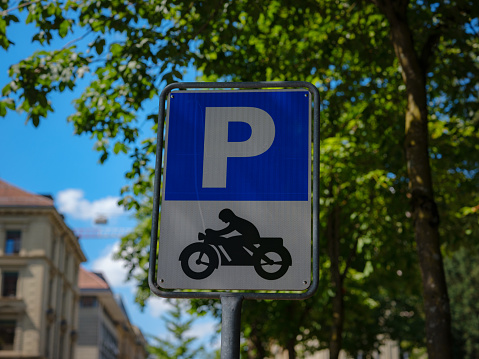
column 104, row 329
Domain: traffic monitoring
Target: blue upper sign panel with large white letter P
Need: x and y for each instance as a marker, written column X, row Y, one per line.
column 238, row 146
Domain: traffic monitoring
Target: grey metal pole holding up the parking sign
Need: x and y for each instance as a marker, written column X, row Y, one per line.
column 230, row 325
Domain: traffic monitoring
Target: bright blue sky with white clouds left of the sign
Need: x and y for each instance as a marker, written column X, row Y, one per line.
column 50, row 159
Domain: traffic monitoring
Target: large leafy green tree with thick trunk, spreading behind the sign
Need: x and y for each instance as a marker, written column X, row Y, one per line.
column 400, row 68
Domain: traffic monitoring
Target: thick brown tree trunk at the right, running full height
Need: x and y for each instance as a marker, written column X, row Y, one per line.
column 424, row 209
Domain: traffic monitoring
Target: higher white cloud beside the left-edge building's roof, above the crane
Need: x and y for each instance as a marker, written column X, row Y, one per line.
column 72, row 202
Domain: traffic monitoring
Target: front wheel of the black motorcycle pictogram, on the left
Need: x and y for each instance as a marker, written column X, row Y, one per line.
column 198, row 260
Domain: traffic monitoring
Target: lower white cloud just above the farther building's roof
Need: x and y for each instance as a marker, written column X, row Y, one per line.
column 114, row 270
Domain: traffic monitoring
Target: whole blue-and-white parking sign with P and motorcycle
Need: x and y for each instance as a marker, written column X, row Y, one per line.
column 236, row 209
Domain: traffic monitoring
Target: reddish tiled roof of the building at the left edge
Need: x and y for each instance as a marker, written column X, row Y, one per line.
column 14, row 196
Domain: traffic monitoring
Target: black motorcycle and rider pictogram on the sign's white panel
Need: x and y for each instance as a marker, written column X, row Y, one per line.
column 271, row 260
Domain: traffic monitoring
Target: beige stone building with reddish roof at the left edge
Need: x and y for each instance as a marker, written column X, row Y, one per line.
column 39, row 264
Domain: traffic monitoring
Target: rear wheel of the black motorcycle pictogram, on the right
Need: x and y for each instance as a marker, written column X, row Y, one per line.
column 271, row 263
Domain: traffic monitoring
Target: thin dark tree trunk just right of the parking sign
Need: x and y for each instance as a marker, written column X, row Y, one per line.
column 332, row 234
